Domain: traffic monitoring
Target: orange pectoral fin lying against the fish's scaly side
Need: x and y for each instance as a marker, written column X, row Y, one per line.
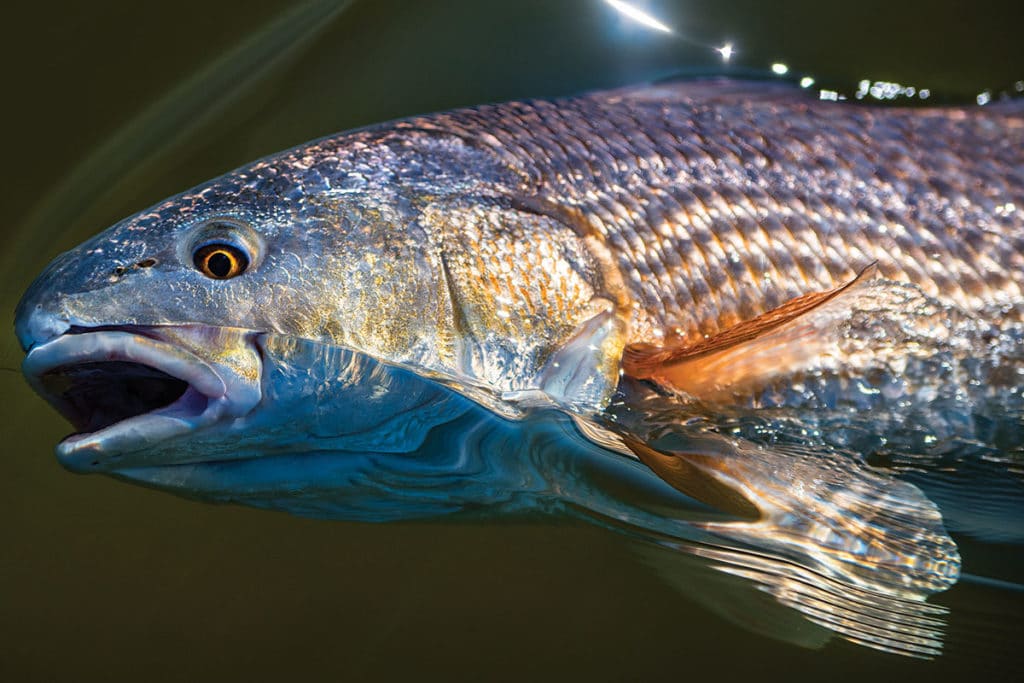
column 783, row 340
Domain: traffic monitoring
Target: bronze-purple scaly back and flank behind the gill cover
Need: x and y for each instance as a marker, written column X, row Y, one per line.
column 719, row 205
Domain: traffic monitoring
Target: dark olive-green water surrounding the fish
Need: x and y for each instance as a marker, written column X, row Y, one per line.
column 104, row 581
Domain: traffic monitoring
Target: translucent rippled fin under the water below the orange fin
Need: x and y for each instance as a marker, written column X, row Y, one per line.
column 855, row 550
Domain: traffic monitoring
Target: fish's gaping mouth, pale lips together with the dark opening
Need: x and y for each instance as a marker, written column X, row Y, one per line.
column 126, row 391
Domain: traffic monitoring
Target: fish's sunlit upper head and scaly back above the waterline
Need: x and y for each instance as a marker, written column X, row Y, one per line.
column 480, row 244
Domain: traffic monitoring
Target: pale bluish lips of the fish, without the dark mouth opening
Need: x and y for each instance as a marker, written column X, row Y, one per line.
column 210, row 396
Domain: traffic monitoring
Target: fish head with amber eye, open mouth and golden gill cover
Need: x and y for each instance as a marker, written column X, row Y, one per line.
column 152, row 337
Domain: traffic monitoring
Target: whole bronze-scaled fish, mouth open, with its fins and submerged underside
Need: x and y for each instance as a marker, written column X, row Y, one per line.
column 695, row 314
